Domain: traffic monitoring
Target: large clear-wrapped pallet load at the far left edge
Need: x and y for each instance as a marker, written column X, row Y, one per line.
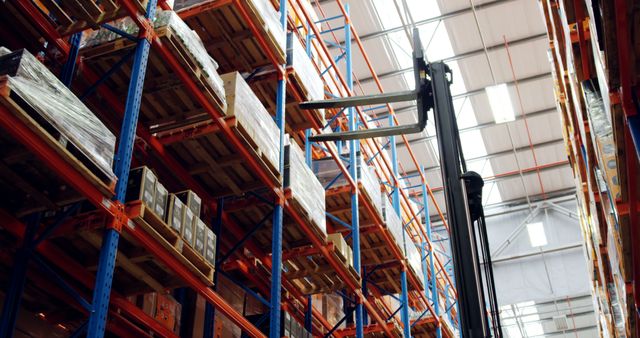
column 56, row 104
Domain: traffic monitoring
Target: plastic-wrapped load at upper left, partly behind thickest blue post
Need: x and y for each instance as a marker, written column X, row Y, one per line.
column 189, row 39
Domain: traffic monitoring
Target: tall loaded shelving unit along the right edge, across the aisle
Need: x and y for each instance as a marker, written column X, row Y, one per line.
column 594, row 55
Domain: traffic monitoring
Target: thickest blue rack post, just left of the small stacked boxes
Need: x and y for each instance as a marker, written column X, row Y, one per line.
column 108, row 251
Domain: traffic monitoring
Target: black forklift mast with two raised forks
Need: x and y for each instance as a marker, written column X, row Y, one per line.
column 432, row 91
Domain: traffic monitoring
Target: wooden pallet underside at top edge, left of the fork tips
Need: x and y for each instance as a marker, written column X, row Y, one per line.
column 229, row 39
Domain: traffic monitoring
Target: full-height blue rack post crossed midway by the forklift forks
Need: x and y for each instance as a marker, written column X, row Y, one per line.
column 353, row 172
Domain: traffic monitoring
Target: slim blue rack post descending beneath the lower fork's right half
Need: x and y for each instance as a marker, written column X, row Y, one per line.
column 404, row 313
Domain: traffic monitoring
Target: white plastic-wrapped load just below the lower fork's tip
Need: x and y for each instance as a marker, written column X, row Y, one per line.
column 305, row 187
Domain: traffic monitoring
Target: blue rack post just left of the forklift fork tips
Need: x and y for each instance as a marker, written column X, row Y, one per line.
column 276, row 244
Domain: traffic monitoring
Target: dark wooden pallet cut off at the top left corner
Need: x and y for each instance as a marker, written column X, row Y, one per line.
column 71, row 16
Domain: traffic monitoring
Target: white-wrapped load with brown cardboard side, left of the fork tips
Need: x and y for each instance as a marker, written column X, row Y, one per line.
column 251, row 115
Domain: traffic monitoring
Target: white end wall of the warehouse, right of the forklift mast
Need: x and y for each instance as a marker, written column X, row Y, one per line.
column 525, row 279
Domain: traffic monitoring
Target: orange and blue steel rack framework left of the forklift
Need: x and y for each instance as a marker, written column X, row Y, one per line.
column 439, row 286
